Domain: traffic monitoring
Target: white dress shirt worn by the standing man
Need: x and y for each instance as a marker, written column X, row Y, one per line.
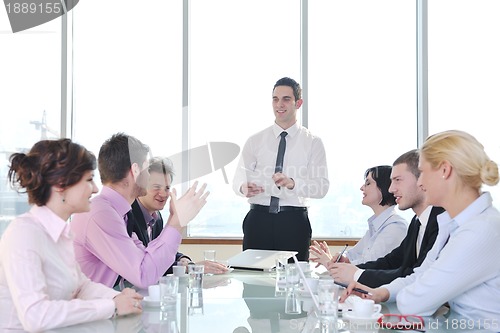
column 304, row 161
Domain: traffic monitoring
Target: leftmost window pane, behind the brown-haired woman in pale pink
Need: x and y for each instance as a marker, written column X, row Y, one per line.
column 31, row 99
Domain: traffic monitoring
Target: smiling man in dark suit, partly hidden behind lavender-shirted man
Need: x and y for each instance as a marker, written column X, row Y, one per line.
column 147, row 222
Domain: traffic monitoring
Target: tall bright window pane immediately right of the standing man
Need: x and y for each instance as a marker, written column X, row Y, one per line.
column 362, row 93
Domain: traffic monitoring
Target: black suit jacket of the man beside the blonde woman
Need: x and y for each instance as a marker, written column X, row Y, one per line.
column 402, row 260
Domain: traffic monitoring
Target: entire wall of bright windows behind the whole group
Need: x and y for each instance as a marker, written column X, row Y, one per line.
column 181, row 74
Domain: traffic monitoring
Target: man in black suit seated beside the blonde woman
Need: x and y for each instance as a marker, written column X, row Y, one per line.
column 419, row 239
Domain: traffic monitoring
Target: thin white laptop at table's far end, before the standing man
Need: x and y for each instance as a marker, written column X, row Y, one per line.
column 257, row 260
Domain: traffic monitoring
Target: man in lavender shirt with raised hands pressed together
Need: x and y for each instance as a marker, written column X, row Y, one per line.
column 103, row 248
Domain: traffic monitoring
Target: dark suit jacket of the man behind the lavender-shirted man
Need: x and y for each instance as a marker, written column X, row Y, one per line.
column 138, row 225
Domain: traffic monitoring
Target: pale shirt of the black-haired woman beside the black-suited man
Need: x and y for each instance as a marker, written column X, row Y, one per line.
column 385, row 233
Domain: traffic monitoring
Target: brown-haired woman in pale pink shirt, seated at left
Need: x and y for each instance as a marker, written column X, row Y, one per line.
column 41, row 284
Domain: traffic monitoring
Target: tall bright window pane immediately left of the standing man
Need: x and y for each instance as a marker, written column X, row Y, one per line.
column 238, row 50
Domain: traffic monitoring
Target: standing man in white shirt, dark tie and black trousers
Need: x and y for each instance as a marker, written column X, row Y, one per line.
column 280, row 168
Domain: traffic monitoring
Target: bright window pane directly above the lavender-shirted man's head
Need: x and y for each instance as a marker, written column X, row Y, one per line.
column 128, row 73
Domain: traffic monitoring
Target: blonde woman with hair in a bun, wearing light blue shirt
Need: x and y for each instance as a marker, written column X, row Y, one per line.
column 462, row 268
